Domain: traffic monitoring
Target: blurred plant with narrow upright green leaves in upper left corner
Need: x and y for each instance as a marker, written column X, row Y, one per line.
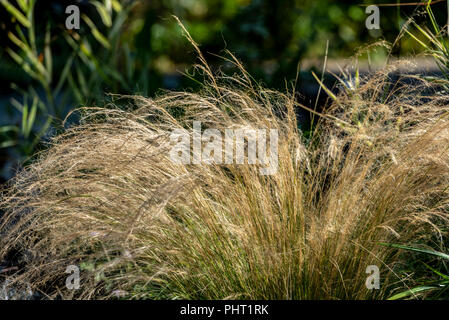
column 83, row 74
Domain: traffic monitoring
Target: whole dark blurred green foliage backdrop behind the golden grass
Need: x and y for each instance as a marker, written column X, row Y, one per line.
column 136, row 47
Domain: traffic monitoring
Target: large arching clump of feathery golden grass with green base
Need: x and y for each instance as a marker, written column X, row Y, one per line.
column 106, row 196
